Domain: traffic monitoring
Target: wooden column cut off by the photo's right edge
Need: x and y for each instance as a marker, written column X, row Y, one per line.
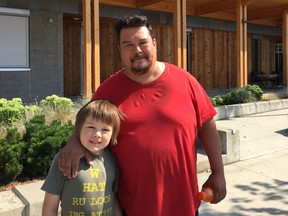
column 285, row 48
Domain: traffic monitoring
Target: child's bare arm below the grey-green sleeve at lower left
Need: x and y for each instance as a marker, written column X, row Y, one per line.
column 50, row 204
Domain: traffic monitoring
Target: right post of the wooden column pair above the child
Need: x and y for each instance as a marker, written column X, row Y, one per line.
column 96, row 47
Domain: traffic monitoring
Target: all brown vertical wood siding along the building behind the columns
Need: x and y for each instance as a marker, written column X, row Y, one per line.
column 213, row 56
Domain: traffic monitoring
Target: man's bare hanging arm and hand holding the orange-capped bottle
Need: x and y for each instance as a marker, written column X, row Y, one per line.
column 210, row 141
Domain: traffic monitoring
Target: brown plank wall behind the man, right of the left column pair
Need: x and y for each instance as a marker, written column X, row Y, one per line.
column 213, row 53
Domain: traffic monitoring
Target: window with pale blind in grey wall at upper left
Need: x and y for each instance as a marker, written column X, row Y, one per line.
column 14, row 39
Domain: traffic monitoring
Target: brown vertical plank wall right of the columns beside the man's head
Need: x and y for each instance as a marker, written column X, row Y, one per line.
column 214, row 59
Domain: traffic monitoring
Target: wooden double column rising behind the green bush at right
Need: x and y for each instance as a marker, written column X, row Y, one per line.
column 242, row 65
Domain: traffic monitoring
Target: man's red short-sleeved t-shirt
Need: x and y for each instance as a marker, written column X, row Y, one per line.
column 156, row 148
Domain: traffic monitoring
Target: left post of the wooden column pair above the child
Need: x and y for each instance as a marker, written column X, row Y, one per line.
column 87, row 47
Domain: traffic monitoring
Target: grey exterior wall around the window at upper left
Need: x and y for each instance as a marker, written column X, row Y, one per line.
column 46, row 62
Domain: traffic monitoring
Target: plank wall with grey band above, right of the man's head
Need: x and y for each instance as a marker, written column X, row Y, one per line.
column 213, row 51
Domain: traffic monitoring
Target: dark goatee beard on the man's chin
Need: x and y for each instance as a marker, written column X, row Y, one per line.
column 140, row 67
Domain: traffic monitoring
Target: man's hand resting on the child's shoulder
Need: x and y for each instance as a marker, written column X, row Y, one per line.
column 70, row 156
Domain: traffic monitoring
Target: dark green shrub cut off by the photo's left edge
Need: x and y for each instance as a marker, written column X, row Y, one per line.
column 11, row 148
